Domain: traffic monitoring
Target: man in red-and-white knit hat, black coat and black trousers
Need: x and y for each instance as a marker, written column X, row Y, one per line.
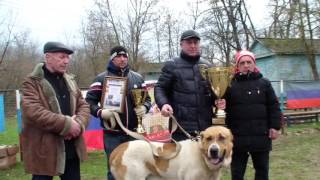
column 253, row 116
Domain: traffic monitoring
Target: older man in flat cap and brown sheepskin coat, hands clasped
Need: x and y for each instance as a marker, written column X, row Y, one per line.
column 54, row 116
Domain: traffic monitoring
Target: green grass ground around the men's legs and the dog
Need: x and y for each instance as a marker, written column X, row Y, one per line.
column 295, row 156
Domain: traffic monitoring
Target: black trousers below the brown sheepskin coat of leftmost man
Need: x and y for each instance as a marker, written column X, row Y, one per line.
column 72, row 171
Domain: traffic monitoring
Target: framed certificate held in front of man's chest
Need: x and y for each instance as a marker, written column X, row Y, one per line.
column 114, row 93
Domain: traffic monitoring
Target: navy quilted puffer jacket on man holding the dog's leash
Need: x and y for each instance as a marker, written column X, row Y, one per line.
column 182, row 86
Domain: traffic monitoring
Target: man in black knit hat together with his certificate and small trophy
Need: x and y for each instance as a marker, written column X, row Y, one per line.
column 113, row 89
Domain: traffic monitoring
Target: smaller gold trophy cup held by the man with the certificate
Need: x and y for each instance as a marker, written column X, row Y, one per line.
column 139, row 97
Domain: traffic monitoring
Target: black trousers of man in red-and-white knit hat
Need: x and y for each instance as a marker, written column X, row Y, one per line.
column 260, row 162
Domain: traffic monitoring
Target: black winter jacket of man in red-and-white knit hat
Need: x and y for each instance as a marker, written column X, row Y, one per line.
column 252, row 109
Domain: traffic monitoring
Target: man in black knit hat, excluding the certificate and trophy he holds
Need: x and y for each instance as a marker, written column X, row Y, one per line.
column 117, row 67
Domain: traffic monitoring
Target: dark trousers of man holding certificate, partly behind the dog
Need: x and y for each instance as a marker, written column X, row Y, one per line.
column 111, row 141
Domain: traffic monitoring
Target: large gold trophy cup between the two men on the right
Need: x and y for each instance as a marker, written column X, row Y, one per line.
column 219, row 79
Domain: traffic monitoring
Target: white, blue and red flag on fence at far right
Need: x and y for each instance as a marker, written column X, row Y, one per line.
column 303, row 94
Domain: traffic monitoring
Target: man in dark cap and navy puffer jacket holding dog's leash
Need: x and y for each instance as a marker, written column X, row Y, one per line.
column 182, row 91
